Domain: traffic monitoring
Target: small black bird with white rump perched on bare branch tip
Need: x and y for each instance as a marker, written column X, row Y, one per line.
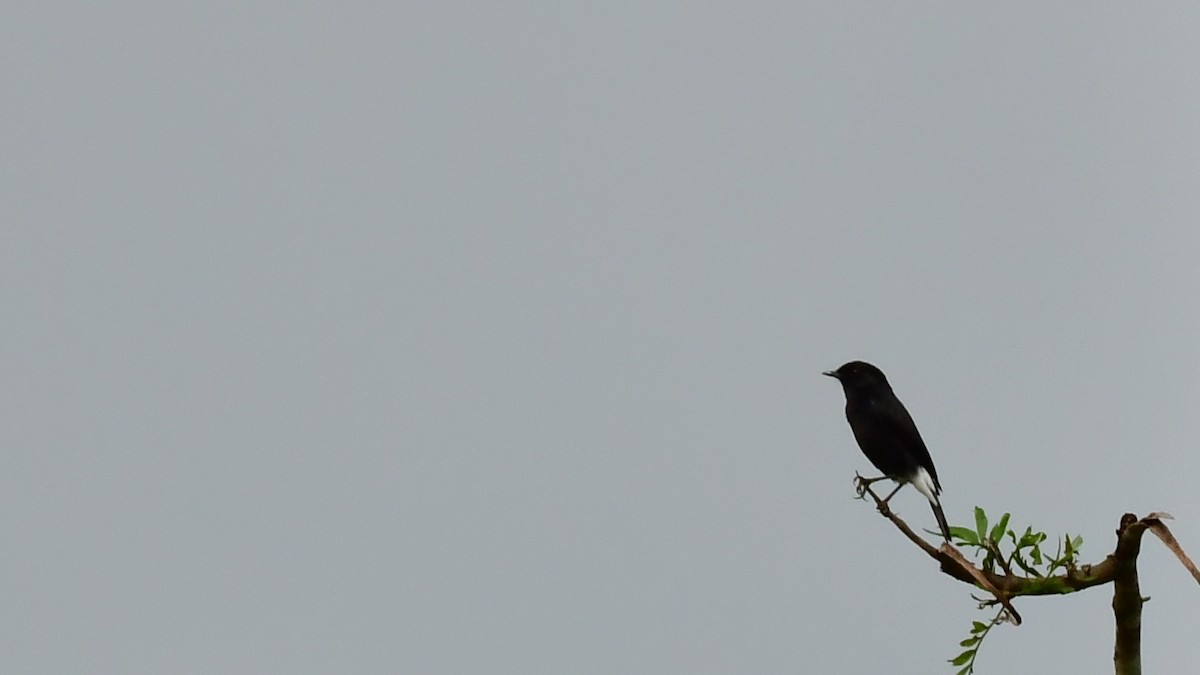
column 887, row 434
